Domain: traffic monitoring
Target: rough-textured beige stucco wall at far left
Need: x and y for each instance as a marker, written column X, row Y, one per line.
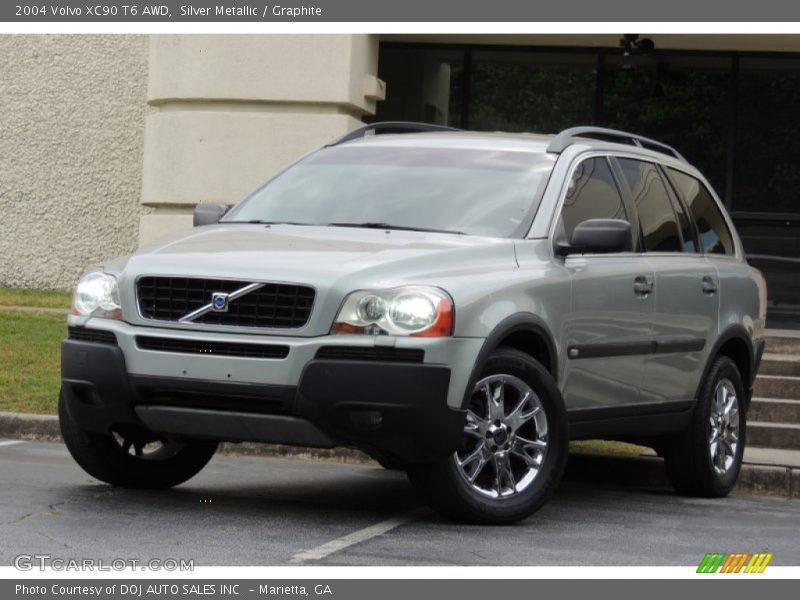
column 71, row 138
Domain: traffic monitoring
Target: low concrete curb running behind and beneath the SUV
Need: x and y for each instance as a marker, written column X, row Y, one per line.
column 638, row 471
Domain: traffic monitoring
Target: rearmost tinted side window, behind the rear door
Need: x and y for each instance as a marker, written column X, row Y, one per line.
column 714, row 233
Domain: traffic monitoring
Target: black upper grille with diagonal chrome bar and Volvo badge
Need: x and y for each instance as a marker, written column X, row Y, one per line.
column 272, row 305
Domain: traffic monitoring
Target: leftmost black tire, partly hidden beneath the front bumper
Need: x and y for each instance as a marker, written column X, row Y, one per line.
column 133, row 458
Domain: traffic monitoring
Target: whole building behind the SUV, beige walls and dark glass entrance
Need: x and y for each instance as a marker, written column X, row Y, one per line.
column 219, row 114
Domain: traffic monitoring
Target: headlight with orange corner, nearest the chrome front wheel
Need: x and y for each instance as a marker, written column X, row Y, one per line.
column 416, row 311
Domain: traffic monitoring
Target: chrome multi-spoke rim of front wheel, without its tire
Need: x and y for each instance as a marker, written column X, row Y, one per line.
column 505, row 437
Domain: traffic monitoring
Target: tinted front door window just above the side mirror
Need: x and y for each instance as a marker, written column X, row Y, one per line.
column 592, row 194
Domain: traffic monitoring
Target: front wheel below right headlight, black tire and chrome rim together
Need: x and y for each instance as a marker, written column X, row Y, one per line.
column 490, row 499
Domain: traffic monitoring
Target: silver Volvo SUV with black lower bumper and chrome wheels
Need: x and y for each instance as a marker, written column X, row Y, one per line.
column 456, row 304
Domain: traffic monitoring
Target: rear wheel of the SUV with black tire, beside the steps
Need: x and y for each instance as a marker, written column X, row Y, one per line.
column 688, row 458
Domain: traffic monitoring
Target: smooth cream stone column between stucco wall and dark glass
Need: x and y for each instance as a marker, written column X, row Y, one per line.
column 229, row 111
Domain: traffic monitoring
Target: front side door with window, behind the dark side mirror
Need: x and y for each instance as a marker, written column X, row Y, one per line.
column 607, row 331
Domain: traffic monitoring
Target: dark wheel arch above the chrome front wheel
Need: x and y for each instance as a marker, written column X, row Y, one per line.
column 525, row 332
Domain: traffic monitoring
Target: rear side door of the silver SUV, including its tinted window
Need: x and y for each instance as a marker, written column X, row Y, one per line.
column 686, row 287
